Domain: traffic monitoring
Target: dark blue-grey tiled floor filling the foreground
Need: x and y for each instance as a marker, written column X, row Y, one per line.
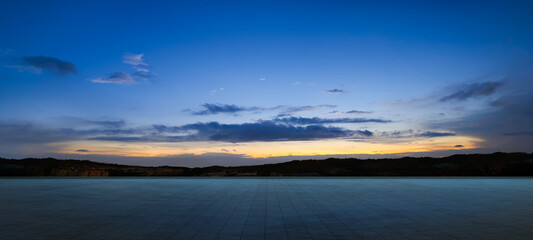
column 266, row 208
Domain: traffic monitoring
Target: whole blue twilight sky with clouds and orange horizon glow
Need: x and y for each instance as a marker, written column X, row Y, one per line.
column 200, row 83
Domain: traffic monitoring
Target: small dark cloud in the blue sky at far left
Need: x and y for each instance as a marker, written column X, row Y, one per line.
column 50, row 64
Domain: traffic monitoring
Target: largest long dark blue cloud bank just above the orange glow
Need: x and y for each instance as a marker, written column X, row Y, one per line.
column 265, row 131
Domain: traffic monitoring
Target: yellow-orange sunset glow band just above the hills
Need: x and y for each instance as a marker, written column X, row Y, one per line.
column 269, row 149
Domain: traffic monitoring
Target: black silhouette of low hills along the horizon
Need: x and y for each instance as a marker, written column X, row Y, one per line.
column 495, row 164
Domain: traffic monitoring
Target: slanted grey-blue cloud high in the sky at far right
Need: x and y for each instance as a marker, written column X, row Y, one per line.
column 472, row 90
